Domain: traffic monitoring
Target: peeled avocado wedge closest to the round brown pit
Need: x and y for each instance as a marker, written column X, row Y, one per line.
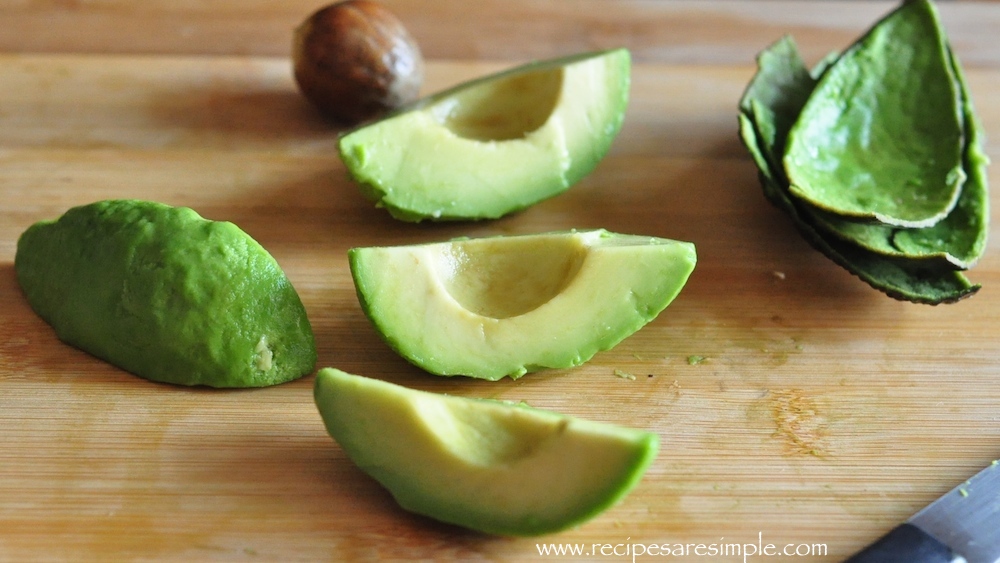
column 494, row 145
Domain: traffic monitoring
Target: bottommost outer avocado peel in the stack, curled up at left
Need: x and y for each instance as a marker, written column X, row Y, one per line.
column 783, row 85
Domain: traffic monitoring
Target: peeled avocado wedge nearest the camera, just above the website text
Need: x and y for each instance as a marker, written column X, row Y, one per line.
column 486, row 465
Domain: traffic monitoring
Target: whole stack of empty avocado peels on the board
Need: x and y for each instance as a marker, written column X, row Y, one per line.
column 921, row 261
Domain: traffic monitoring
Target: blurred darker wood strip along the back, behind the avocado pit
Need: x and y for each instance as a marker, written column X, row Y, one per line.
column 674, row 31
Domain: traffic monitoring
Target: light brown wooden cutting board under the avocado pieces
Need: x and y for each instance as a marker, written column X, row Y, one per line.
column 823, row 412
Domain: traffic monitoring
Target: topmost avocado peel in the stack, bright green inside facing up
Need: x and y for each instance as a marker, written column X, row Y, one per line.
column 881, row 137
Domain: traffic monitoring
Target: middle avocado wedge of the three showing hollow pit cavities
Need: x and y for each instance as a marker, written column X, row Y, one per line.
column 508, row 305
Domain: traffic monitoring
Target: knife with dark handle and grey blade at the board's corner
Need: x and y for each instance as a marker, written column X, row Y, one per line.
column 961, row 526
